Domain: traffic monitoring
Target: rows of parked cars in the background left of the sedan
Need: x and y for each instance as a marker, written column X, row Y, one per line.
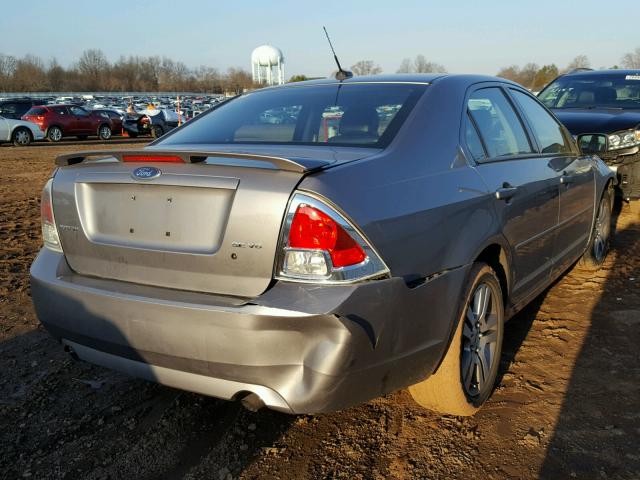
column 25, row 120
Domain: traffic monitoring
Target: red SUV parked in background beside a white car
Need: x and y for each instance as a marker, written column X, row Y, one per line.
column 59, row 121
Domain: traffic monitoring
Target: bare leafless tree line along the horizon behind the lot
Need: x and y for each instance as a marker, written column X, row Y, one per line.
column 94, row 72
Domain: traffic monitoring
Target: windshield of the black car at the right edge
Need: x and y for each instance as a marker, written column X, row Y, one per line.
column 593, row 91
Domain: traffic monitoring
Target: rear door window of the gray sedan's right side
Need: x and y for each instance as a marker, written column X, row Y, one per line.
column 498, row 123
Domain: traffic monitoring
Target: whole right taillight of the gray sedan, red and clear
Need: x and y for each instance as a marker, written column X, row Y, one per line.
column 319, row 244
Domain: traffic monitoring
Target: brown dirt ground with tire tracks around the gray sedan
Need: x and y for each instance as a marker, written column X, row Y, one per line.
column 567, row 404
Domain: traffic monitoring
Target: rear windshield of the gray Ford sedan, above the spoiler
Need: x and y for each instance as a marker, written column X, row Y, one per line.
column 364, row 115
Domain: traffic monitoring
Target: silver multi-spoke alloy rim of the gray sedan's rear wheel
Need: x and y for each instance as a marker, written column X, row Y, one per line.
column 479, row 341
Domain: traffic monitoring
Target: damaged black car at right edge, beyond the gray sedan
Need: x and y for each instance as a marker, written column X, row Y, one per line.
column 603, row 101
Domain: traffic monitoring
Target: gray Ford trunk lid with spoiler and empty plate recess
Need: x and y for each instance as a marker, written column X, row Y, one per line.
column 209, row 223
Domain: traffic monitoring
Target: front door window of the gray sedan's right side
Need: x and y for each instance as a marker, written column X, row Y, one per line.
column 546, row 129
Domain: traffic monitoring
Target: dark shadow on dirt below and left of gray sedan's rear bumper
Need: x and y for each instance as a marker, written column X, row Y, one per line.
column 67, row 419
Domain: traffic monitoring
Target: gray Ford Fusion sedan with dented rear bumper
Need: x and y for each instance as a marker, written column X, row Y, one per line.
column 312, row 246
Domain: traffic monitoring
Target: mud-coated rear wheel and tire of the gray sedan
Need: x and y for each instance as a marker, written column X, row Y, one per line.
column 467, row 375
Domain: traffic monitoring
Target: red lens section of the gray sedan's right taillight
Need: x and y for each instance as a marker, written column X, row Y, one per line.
column 314, row 229
